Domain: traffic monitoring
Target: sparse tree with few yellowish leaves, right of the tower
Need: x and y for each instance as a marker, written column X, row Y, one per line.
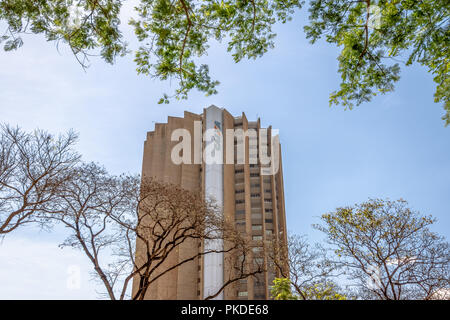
column 388, row 250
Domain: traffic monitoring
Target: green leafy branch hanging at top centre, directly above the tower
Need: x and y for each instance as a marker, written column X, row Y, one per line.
column 175, row 33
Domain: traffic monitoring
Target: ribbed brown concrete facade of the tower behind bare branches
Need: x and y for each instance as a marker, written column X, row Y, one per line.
column 199, row 278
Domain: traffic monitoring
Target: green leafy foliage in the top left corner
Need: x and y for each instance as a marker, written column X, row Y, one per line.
column 83, row 25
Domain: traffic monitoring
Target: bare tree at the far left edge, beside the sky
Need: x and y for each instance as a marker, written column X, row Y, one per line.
column 32, row 167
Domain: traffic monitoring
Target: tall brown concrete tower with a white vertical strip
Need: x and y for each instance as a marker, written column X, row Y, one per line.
column 247, row 188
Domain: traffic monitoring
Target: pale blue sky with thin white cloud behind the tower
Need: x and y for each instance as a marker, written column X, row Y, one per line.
column 395, row 146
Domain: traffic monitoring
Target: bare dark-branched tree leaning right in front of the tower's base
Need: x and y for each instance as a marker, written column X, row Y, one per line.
column 170, row 216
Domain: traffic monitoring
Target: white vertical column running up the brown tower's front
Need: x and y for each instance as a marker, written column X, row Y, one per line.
column 213, row 156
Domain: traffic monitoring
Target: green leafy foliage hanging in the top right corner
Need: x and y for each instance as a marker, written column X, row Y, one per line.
column 376, row 37
